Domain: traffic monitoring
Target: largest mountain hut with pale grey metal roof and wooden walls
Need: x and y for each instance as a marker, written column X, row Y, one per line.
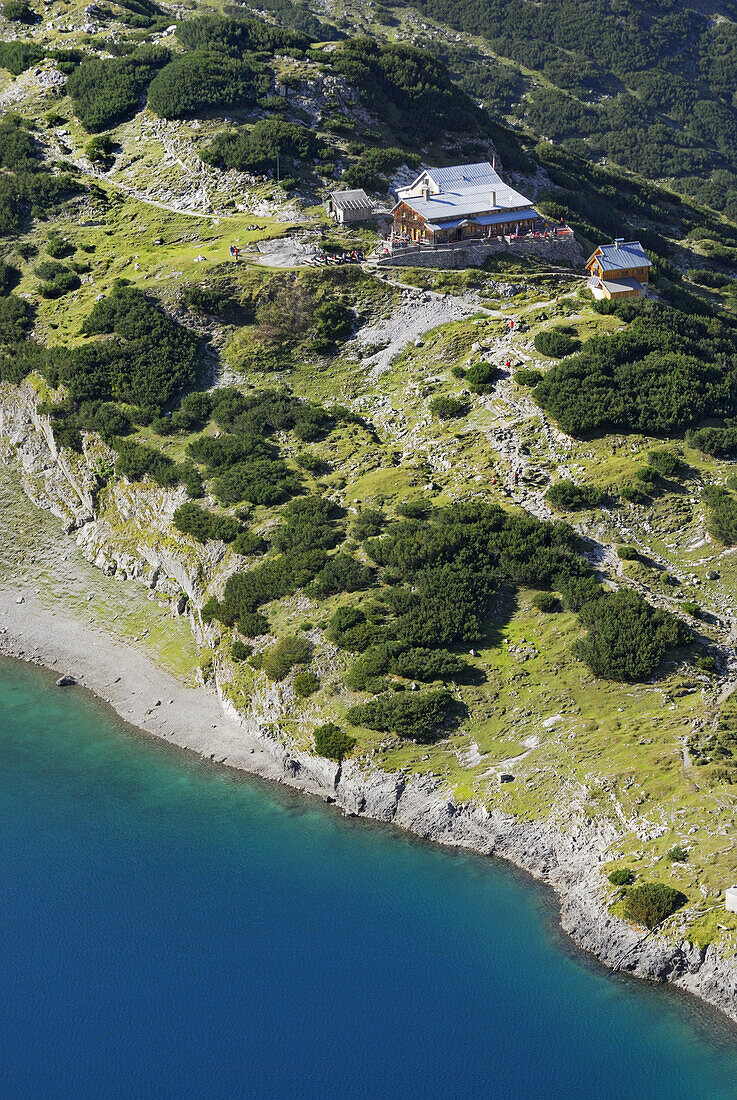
column 466, row 202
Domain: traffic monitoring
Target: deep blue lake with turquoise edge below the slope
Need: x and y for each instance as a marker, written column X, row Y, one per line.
column 171, row 931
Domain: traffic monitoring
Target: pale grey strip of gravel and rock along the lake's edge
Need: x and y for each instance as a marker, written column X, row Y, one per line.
column 196, row 719
